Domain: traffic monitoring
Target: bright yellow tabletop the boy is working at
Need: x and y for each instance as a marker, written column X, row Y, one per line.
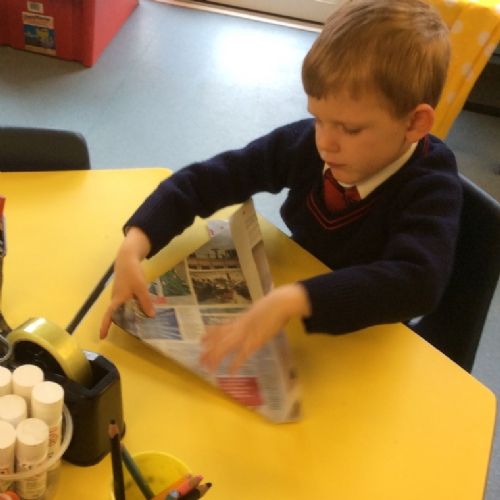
column 386, row 416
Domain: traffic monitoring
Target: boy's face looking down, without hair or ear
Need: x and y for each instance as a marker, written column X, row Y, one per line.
column 357, row 138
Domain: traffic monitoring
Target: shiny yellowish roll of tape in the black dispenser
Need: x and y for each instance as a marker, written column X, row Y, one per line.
column 58, row 343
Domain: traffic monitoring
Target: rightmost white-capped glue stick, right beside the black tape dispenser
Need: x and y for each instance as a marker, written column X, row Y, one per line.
column 47, row 399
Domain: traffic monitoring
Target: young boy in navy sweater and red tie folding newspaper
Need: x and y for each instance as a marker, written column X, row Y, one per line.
column 373, row 78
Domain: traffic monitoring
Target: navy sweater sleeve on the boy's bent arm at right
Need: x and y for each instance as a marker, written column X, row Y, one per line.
column 410, row 276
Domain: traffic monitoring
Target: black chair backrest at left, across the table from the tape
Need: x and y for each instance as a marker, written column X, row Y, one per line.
column 38, row 149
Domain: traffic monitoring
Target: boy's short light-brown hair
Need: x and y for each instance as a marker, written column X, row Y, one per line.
column 397, row 48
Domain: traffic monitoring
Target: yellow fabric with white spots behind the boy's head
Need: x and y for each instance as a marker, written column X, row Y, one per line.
column 474, row 32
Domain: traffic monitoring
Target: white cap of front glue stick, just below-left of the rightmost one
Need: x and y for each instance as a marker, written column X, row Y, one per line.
column 32, row 440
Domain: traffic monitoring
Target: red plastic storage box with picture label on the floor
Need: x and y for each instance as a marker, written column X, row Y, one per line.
column 76, row 30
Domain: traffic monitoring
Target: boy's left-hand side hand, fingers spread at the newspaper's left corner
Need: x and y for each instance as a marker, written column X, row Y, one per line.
column 129, row 279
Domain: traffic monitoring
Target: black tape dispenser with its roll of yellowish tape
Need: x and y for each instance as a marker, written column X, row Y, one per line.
column 92, row 388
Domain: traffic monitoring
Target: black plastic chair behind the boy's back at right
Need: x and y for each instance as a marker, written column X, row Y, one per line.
column 455, row 327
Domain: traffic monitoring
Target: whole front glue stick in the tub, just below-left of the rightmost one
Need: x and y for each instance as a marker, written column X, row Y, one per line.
column 31, row 452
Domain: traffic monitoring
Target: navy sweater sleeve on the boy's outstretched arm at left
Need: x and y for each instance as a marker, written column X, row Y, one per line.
column 200, row 189
